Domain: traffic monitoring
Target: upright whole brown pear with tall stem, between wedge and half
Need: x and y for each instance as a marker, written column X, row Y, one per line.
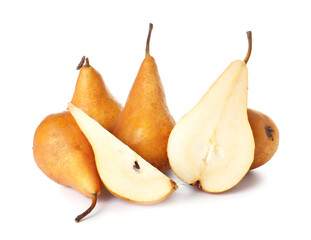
column 145, row 122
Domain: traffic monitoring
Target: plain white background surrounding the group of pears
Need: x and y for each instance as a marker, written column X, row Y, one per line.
column 193, row 42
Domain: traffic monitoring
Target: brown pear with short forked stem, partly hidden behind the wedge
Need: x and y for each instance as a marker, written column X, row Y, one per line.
column 92, row 95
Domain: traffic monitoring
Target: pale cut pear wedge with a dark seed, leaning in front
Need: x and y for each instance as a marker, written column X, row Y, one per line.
column 123, row 172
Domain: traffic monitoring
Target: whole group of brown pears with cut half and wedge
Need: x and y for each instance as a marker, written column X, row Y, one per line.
column 129, row 149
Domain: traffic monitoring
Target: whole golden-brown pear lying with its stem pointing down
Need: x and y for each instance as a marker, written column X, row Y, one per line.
column 64, row 154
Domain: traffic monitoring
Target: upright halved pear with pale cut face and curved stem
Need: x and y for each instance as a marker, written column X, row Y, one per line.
column 212, row 146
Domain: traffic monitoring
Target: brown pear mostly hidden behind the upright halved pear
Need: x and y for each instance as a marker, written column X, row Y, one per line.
column 266, row 135
